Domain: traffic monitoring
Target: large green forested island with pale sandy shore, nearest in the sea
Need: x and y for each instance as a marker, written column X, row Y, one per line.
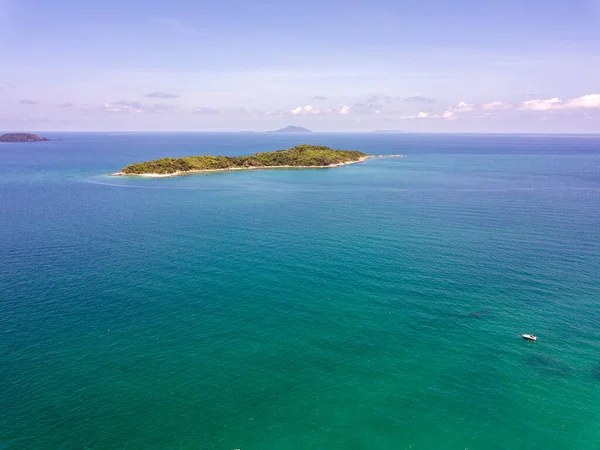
column 301, row 156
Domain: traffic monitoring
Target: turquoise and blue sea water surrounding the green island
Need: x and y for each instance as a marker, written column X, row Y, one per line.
column 372, row 306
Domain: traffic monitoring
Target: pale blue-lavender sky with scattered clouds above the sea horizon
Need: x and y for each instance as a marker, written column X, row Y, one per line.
column 509, row 66
